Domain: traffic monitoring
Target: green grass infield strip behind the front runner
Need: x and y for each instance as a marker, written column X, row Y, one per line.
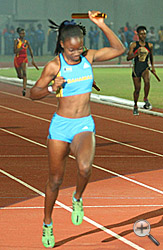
column 112, row 81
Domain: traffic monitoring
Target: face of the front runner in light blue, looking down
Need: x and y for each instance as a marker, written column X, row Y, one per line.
column 73, row 47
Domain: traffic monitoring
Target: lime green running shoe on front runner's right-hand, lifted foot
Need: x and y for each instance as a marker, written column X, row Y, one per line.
column 77, row 213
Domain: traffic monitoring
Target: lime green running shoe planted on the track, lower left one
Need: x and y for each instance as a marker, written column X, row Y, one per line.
column 48, row 237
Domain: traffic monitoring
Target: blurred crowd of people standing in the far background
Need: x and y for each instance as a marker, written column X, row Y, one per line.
column 37, row 36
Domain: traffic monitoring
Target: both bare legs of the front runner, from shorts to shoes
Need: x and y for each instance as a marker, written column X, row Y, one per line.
column 83, row 148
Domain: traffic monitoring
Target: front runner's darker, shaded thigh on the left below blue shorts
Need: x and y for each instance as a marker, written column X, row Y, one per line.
column 57, row 154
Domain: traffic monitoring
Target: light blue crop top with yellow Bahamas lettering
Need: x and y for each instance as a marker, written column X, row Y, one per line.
column 79, row 77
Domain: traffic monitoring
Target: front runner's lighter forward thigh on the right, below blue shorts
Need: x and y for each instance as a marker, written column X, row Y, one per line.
column 83, row 148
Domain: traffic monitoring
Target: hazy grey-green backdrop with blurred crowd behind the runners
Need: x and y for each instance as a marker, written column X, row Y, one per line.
column 123, row 17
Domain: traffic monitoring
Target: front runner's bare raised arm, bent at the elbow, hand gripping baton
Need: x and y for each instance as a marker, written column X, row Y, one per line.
column 116, row 47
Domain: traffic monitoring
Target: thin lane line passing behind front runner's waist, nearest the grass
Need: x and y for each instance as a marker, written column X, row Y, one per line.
column 98, row 116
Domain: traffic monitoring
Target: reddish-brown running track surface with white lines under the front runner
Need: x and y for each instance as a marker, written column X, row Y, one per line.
column 127, row 187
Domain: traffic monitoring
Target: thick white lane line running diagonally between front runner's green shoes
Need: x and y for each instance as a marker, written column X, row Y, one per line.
column 92, row 222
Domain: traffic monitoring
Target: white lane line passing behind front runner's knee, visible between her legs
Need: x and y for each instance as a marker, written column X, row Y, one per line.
column 95, row 166
